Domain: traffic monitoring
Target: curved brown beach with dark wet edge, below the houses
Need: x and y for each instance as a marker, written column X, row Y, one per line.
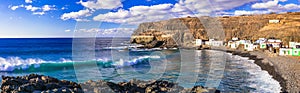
column 284, row 69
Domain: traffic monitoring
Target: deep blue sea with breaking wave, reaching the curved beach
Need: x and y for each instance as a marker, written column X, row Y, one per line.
column 83, row 59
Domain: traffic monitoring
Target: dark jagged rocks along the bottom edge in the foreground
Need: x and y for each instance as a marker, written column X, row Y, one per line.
column 34, row 83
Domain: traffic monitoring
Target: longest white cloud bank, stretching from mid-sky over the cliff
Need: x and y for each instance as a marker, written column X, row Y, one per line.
column 184, row 8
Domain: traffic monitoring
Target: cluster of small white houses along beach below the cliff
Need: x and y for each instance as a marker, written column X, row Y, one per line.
column 272, row 45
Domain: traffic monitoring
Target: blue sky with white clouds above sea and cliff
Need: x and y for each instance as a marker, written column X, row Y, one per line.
column 116, row 18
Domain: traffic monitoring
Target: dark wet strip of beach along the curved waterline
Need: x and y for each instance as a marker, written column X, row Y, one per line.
column 267, row 65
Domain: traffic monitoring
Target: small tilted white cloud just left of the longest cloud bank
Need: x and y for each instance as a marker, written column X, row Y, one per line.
column 76, row 15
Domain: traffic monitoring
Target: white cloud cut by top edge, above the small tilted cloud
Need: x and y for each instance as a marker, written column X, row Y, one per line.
column 101, row 4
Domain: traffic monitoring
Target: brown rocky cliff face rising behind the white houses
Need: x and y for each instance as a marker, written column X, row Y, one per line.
column 185, row 30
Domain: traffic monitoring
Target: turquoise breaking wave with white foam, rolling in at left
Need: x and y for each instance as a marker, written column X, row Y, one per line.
column 16, row 64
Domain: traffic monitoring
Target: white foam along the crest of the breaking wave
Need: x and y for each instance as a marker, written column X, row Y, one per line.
column 16, row 63
